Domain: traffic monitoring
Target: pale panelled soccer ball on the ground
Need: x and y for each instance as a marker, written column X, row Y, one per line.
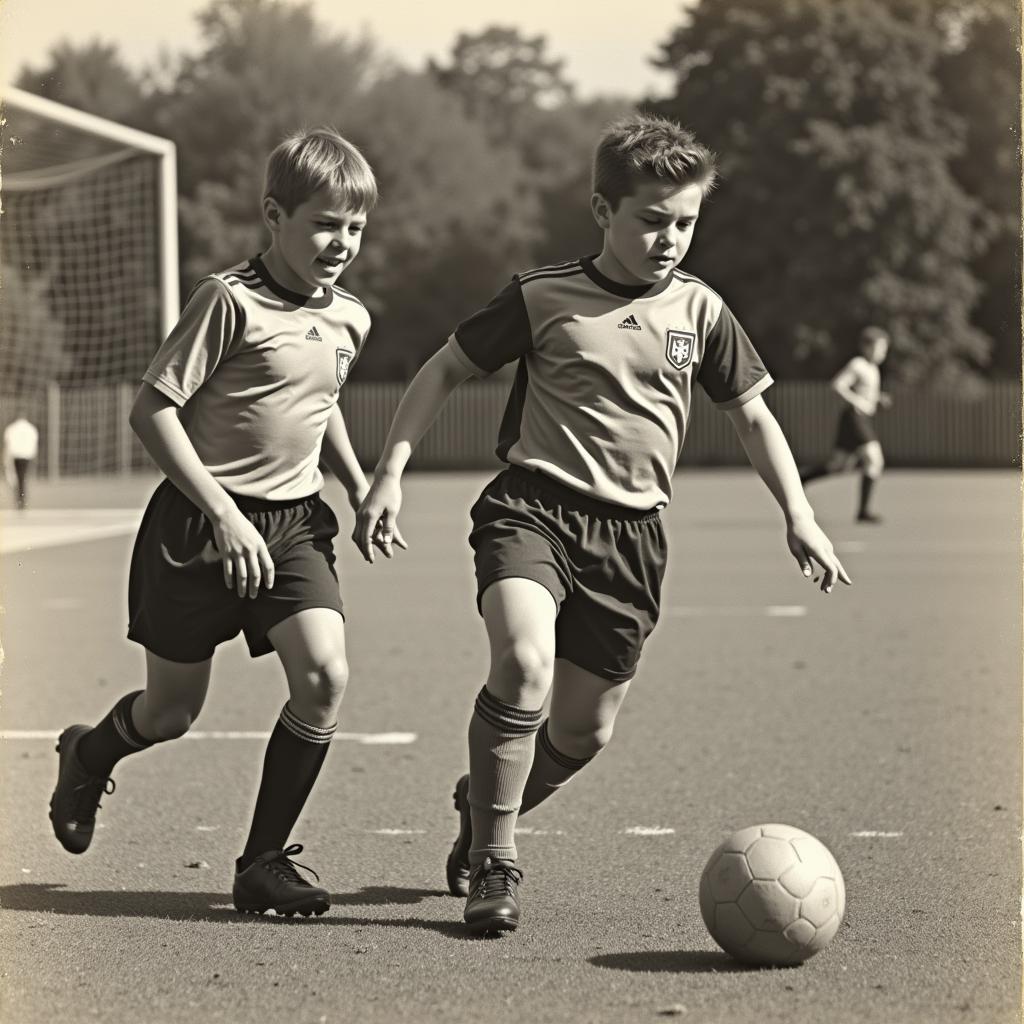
column 773, row 895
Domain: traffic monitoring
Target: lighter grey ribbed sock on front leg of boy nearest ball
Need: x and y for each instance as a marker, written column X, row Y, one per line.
column 501, row 751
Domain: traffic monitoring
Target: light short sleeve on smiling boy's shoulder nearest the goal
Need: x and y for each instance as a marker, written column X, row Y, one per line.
column 209, row 326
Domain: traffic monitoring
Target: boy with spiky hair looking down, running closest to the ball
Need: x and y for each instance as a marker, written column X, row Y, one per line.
column 570, row 548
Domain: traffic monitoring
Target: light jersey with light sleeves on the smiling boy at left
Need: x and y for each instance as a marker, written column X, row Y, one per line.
column 258, row 370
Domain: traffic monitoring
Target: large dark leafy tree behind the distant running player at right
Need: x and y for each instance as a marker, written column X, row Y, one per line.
column 838, row 205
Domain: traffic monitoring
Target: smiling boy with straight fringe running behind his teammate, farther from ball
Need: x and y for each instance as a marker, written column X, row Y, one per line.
column 237, row 409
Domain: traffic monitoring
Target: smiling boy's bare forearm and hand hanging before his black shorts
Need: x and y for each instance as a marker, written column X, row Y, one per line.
column 241, row 549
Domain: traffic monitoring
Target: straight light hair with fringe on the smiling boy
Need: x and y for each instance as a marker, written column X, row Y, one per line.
column 313, row 160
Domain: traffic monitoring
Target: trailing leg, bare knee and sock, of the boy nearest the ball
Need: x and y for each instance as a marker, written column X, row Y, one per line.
column 579, row 727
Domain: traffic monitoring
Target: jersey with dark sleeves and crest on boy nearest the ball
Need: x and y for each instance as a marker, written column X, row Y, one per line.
column 603, row 394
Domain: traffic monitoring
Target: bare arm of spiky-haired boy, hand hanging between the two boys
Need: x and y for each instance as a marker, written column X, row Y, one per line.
column 378, row 516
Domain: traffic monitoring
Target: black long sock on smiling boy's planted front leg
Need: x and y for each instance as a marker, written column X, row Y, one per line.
column 295, row 754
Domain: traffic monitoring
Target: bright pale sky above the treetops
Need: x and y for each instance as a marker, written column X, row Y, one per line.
column 603, row 54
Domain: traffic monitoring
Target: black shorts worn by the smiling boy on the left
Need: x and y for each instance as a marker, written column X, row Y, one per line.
column 182, row 612
